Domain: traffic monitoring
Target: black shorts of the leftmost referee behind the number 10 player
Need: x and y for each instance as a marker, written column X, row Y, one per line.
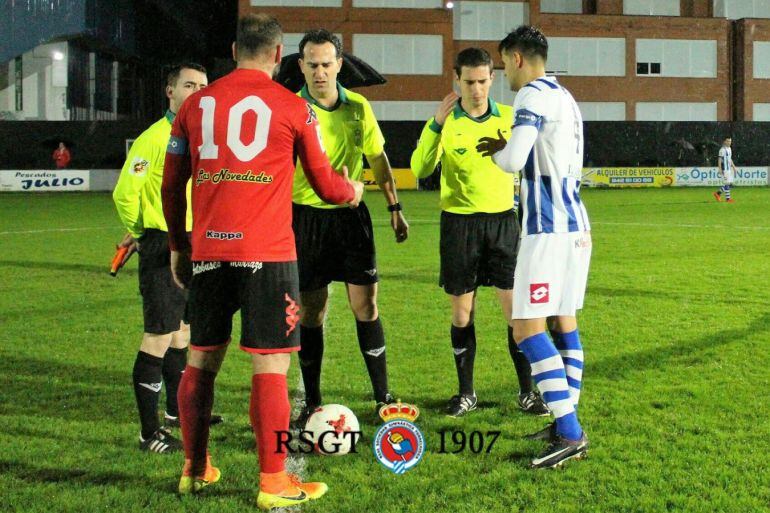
column 163, row 303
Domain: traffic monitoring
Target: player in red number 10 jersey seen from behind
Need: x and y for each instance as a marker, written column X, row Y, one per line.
column 240, row 136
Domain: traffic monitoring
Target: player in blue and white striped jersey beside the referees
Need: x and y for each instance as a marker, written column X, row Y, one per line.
column 546, row 142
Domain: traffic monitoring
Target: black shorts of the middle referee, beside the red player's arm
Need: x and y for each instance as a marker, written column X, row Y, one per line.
column 334, row 245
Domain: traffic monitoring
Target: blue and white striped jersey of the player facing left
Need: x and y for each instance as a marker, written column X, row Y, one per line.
column 550, row 178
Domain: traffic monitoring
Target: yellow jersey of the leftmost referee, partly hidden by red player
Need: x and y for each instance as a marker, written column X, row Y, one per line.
column 137, row 194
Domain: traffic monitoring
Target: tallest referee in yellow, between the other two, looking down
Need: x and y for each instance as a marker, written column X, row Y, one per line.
column 337, row 243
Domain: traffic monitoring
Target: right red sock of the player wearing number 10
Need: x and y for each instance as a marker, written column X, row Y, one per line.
column 269, row 411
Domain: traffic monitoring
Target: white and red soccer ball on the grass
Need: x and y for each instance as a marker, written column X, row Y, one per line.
column 334, row 429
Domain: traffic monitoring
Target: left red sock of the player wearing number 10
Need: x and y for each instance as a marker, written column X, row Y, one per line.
column 196, row 397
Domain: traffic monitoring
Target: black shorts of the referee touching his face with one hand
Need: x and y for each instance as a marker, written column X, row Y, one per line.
column 478, row 250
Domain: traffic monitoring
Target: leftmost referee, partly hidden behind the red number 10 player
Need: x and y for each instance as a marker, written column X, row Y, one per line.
column 163, row 353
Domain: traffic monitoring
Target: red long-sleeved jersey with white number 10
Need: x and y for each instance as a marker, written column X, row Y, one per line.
column 238, row 139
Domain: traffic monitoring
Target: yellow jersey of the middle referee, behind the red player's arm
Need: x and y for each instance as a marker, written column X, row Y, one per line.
column 348, row 130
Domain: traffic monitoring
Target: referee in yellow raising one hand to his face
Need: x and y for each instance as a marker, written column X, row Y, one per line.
column 479, row 229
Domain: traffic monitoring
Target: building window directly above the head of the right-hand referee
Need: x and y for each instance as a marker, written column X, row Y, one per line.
column 487, row 21
